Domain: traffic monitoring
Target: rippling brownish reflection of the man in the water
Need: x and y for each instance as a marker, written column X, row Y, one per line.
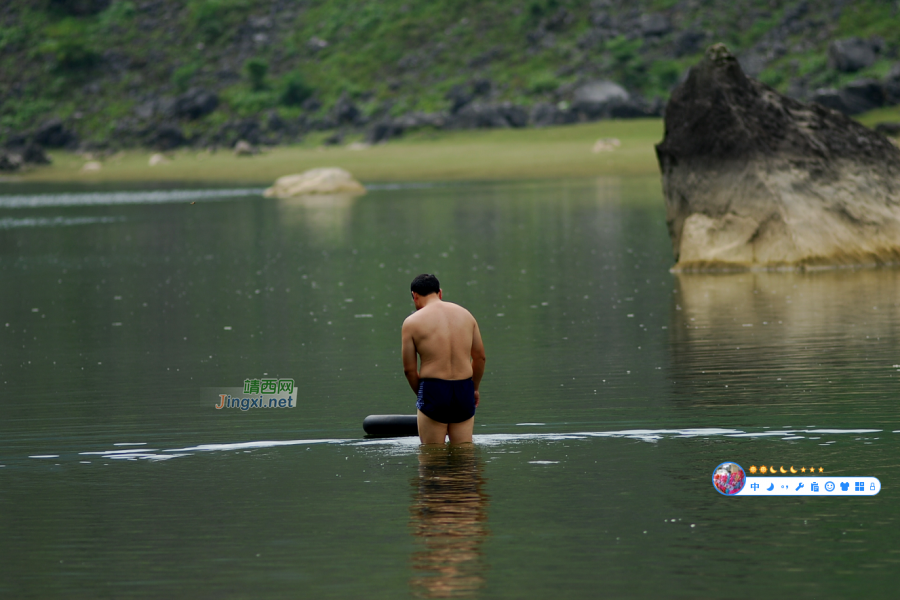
column 448, row 515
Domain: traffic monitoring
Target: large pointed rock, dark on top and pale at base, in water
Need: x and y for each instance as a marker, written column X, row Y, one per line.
column 756, row 180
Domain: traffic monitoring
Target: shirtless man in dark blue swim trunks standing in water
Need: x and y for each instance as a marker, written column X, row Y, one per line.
column 446, row 338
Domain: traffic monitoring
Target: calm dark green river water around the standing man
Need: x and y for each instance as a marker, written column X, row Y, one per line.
column 613, row 389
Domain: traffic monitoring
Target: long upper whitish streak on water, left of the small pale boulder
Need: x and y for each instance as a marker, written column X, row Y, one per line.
column 108, row 198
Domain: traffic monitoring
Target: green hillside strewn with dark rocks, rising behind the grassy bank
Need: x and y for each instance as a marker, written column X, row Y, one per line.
column 104, row 74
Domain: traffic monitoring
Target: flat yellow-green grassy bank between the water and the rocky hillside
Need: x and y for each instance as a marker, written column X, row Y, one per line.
column 463, row 155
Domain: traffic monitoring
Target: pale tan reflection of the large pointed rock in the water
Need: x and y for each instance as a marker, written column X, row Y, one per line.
column 767, row 331
